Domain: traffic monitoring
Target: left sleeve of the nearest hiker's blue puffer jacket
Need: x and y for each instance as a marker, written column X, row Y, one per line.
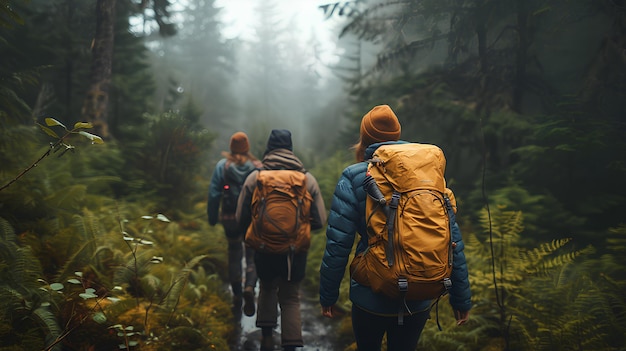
column 340, row 234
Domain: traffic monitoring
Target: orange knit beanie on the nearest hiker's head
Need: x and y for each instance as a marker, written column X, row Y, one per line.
column 378, row 125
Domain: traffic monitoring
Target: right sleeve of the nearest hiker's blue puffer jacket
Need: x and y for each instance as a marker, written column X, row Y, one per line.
column 460, row 294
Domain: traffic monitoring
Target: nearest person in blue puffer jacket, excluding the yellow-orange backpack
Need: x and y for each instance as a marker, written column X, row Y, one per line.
column 374, row 314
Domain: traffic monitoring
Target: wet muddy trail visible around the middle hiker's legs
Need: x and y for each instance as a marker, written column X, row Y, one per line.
column 317, row 331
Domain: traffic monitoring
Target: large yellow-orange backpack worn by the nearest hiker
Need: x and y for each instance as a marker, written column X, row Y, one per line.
column 408, row 223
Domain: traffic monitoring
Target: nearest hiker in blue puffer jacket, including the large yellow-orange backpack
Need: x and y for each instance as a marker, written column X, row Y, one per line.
column 396, row 199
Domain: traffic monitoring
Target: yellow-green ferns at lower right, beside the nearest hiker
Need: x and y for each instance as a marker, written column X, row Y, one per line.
column 542, row 298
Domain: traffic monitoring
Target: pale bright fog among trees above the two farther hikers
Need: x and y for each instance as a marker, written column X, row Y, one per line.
column 255, row 66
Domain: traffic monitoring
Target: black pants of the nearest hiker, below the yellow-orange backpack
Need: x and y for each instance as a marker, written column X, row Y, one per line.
column 369, row 330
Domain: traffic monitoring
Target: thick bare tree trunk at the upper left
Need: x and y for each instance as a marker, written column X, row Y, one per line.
column 97, row 99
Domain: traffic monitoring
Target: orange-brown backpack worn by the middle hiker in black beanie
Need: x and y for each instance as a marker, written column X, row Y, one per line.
column 281, row 206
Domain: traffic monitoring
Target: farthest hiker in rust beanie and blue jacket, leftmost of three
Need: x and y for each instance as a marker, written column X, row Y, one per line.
column 228, row 177
